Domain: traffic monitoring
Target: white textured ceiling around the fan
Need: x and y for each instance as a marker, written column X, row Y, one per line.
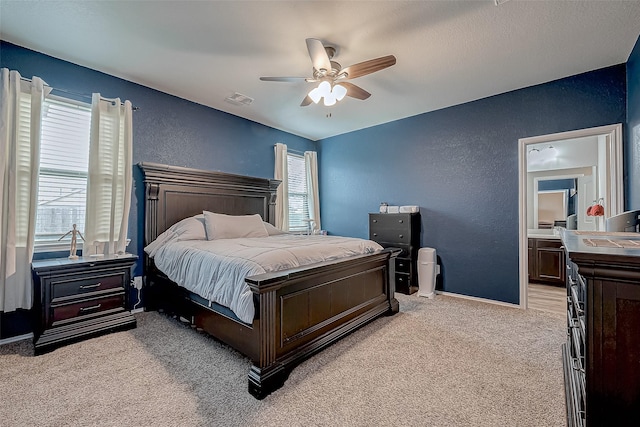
column 448, row 52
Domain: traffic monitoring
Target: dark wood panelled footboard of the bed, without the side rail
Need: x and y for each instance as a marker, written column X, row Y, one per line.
column 305, row 310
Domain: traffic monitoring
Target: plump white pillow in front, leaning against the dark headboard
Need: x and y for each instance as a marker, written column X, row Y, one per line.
column 220, row 226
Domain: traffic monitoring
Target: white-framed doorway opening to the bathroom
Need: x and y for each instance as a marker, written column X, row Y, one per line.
column 585, row 166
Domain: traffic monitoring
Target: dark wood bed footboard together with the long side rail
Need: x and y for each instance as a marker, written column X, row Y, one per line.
column 299, row 312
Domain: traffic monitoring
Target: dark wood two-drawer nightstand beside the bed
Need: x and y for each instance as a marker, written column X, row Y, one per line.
column 81, row 298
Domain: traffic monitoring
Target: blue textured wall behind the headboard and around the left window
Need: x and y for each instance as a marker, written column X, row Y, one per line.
column 166, row 129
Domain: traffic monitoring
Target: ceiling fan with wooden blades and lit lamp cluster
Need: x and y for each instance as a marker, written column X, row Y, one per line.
column 333, row 78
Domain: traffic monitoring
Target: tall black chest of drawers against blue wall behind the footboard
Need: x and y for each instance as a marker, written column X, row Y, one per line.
column 401, row 230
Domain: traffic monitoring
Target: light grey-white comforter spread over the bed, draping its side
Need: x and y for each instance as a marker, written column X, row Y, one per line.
column 216, row 269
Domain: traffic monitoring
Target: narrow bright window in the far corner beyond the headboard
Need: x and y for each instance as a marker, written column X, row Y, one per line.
column 298, row 196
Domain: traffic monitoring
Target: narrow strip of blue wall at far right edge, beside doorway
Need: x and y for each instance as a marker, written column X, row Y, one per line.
column 632, row 146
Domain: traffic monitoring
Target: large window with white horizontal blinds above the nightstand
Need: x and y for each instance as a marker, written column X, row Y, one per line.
column 64, row 162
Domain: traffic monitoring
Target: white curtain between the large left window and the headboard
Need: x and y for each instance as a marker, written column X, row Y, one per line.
column 110, row 176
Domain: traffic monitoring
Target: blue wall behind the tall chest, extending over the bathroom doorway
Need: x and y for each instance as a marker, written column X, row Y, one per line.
column 460, row 165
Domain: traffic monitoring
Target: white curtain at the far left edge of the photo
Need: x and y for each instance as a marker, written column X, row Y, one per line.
column 20, row 124
